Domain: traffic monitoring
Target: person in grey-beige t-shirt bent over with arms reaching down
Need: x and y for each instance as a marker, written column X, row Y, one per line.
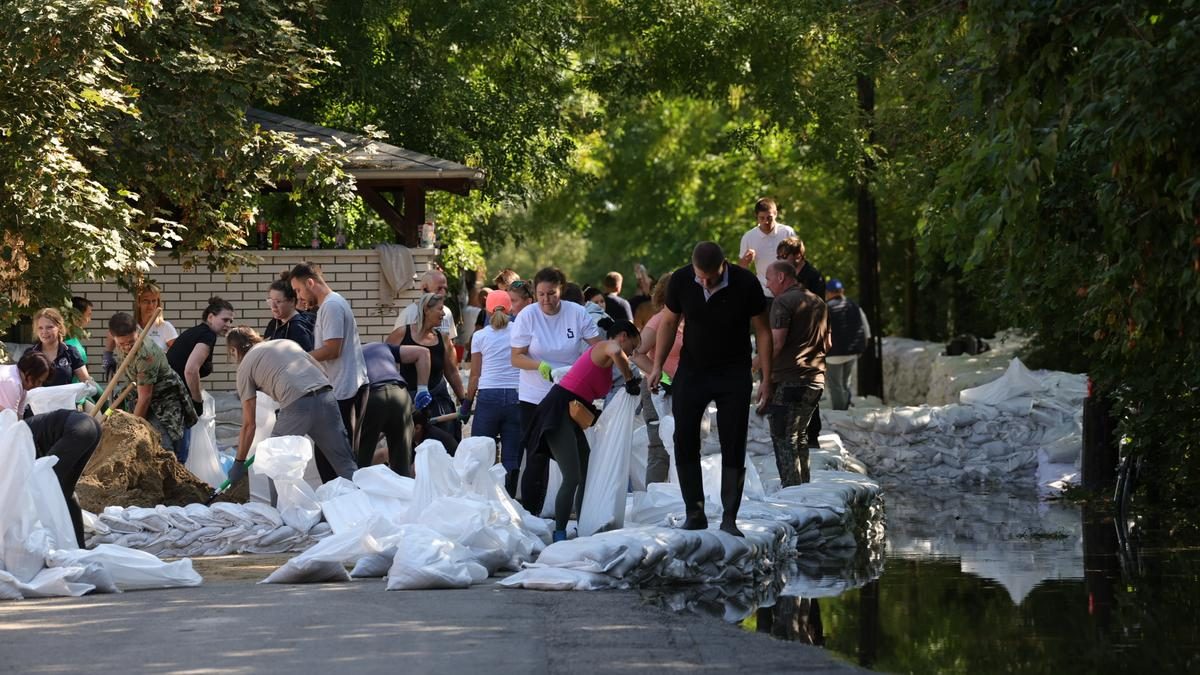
column 285, row 373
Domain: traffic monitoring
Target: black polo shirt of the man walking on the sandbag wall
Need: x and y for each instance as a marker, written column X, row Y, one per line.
column 717, row 331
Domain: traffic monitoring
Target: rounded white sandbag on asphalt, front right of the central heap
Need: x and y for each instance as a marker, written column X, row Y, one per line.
column 428, row 560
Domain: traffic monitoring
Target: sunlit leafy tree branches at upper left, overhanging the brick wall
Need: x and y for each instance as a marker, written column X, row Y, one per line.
column 125, row 132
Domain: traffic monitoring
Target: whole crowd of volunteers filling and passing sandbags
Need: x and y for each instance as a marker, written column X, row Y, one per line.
column 542, row 353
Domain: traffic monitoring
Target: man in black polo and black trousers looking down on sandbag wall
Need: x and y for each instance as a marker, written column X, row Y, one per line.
column 718, row 300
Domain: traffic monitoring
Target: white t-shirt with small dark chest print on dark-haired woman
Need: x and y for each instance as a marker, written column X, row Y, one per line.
column 557, row 341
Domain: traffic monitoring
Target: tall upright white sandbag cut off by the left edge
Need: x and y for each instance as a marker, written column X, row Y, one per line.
column 23, row 541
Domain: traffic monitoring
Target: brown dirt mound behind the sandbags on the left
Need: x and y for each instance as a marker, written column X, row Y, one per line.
column 131, row 469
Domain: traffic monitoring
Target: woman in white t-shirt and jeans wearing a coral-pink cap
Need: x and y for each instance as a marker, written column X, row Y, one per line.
column 494, row 384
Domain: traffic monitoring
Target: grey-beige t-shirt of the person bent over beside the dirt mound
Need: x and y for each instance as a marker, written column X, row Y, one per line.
column 283, row 371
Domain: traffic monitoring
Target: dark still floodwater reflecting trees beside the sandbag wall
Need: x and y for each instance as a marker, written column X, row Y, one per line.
column 981, row 583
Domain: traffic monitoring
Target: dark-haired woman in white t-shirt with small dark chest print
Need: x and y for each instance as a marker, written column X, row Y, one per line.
column 549, row 336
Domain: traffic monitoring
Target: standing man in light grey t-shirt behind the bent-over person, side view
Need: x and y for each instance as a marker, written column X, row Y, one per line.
column 337, row 344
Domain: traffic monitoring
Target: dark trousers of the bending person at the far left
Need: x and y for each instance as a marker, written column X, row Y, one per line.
column 71, row 437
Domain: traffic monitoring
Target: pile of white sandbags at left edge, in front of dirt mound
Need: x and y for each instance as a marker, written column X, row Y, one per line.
column 38, row 548
